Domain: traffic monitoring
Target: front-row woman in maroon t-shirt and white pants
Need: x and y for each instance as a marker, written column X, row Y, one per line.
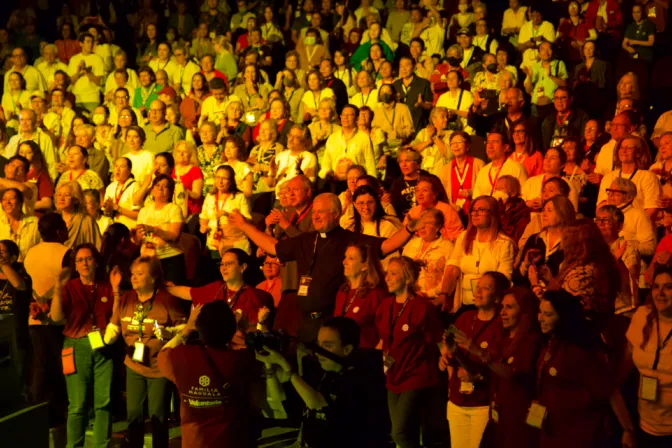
column 477, row 336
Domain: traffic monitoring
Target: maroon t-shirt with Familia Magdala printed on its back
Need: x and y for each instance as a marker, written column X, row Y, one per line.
column 207, row 419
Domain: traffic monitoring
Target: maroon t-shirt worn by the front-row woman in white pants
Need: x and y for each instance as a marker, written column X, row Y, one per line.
column 486, row 335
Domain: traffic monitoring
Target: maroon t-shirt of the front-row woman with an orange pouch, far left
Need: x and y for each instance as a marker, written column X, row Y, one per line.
column 78, row 303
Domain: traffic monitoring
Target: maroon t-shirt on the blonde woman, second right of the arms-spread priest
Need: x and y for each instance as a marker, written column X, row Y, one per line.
column 412, row 343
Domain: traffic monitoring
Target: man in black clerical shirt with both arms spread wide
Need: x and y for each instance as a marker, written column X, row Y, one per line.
column 319, row 256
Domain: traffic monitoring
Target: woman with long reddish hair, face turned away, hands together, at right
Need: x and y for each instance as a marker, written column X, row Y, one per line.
column 585, row 271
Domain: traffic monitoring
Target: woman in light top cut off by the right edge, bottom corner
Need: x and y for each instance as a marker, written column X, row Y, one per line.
column 649, row 351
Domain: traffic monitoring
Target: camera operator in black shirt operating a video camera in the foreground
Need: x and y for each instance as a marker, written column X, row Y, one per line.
column 344, row 397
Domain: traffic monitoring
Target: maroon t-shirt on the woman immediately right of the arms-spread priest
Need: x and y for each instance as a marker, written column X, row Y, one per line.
column 361, row 307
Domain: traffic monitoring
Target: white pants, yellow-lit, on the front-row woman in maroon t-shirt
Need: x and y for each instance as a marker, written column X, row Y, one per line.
column 467, row 425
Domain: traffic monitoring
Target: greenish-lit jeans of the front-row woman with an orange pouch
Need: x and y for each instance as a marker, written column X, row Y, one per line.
column 93, row 368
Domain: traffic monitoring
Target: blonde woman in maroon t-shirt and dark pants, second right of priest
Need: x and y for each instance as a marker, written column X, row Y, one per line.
column 411, row 332
